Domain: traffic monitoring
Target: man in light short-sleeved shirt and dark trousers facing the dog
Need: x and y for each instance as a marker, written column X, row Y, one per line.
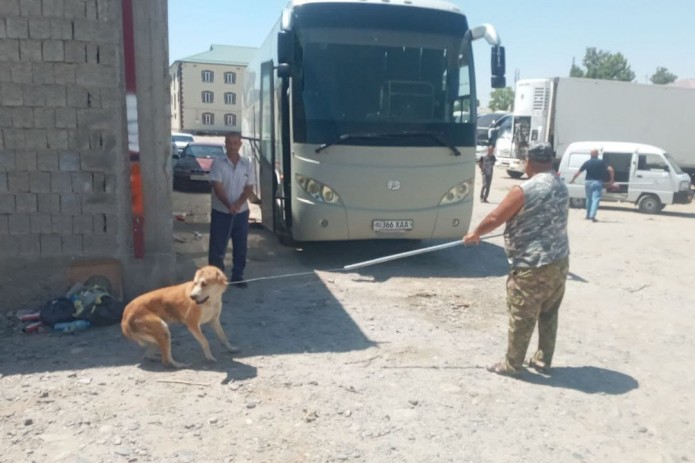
column 233, row 179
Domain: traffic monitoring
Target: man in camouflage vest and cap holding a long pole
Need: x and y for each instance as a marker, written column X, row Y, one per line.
column 535, row 214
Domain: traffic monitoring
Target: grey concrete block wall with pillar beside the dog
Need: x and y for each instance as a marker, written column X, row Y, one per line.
column 64, row 167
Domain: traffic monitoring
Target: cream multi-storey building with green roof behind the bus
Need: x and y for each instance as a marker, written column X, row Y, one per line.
column 207, row 89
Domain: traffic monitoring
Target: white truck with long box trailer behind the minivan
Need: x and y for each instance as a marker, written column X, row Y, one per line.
column 561, row 111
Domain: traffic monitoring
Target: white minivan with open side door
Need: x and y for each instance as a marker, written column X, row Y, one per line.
column 645, row 175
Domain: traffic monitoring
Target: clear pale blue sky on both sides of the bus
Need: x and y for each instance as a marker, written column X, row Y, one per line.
column 541, row 37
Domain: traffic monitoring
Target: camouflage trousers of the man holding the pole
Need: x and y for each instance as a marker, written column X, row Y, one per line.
column 534, row 296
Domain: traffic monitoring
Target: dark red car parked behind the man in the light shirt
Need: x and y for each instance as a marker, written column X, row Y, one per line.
column 192, row 168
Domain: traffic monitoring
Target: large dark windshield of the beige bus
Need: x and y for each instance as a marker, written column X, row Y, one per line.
column 371, row 80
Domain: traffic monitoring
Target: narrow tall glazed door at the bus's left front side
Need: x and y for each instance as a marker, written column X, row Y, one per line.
column 266, row 167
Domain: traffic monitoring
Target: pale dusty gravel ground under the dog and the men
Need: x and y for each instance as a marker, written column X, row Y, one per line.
column 383, row 364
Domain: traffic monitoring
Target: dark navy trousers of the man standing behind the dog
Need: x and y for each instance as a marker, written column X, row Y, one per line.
column 222, row 228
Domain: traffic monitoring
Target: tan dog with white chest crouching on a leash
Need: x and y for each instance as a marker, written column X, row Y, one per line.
column 193, row 303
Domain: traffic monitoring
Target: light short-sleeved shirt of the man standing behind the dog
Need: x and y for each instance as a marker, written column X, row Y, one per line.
column 233, row 178
